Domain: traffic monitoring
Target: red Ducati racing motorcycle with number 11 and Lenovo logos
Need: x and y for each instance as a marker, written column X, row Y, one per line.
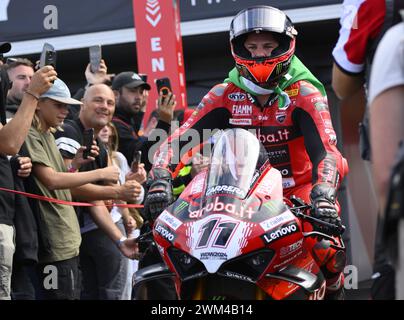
column 230, row 235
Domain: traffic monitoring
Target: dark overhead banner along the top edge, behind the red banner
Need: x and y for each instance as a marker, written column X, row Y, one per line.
column 27, row 20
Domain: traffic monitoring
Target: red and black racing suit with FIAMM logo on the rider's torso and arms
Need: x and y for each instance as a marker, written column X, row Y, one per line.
column 300, row 140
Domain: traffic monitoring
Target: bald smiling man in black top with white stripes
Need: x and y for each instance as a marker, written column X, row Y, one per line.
column 101, row 260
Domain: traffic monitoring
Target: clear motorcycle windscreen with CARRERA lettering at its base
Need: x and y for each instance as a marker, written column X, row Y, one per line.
column 233, row 163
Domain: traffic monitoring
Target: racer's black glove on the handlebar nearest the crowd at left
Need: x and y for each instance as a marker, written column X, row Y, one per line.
column 160, row 193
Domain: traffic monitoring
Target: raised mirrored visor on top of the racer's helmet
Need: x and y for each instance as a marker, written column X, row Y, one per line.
column 261, row 18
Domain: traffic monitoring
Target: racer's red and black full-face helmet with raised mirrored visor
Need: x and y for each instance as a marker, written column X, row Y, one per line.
column 263, row 71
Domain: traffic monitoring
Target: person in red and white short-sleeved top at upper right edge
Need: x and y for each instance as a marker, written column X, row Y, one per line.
column 362, row 25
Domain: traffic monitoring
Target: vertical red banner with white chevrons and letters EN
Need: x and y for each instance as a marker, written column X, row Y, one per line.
column 159, row 47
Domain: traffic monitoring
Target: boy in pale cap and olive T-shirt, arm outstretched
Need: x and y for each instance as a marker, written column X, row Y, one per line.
column 58, row 223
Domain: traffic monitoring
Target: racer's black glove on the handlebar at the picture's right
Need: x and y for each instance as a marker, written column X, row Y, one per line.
column 323, row 198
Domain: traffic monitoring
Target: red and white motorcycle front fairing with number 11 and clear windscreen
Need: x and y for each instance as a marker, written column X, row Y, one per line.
column 231, row 220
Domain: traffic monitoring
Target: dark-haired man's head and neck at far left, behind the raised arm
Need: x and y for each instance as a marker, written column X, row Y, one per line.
column 20, row 72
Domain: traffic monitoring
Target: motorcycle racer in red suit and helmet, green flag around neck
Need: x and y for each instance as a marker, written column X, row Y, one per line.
column 271, row 92
